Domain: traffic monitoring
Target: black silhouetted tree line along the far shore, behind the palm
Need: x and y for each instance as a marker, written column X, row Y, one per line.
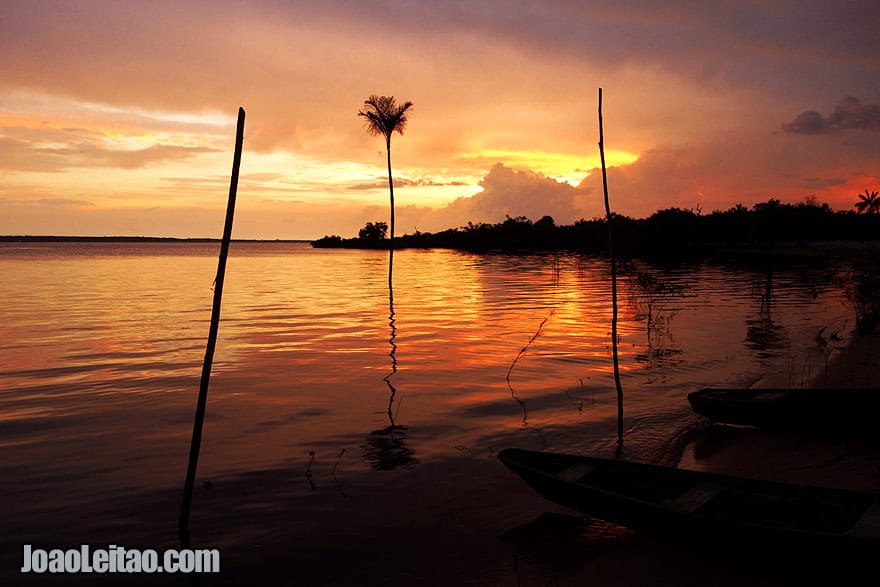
column 668, row 231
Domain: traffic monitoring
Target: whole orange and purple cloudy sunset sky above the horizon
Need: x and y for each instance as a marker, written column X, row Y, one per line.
column 118, row 117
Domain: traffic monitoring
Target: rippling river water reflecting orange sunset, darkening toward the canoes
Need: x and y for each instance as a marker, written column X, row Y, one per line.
column 350, row 435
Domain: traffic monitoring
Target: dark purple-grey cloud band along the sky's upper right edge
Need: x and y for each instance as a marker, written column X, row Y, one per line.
column 775, row 44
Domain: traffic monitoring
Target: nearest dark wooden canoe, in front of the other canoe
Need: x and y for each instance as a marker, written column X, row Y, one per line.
column 697, row 506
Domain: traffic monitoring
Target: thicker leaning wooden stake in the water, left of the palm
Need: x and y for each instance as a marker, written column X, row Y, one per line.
column 186, row 504
